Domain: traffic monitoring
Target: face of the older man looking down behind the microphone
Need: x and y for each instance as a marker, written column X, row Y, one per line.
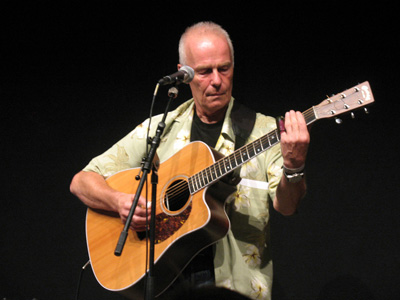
column 210, row 57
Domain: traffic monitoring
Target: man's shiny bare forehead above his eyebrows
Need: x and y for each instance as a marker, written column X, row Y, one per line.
column 207, row 49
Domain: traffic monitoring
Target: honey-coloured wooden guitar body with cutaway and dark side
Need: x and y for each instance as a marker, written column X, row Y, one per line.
column 183, row 227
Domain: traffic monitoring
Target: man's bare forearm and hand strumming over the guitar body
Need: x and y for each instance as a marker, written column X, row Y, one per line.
column 93, row 190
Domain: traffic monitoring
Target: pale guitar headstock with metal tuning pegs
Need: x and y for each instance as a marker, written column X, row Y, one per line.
column 346, row 101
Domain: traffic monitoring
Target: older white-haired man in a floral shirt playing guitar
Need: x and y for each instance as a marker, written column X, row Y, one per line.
column 242, row 260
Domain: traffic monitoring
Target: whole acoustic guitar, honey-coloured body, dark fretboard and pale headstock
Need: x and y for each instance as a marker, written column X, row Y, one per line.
column 189, row 213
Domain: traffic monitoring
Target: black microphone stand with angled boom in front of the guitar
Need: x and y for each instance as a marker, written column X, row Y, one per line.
column 147, row 166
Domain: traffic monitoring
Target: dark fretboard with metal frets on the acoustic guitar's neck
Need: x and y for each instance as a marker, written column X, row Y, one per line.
column 242, row 155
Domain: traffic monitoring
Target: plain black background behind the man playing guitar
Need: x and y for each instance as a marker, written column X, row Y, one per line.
column 77, row 77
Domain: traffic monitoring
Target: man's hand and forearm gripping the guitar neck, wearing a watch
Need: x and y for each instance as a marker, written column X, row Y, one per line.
column 294, row 145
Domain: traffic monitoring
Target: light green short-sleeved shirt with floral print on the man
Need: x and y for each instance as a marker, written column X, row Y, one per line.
column 243, row 258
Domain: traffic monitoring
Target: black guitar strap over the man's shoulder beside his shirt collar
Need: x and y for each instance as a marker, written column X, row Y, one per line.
column 243, row 119
